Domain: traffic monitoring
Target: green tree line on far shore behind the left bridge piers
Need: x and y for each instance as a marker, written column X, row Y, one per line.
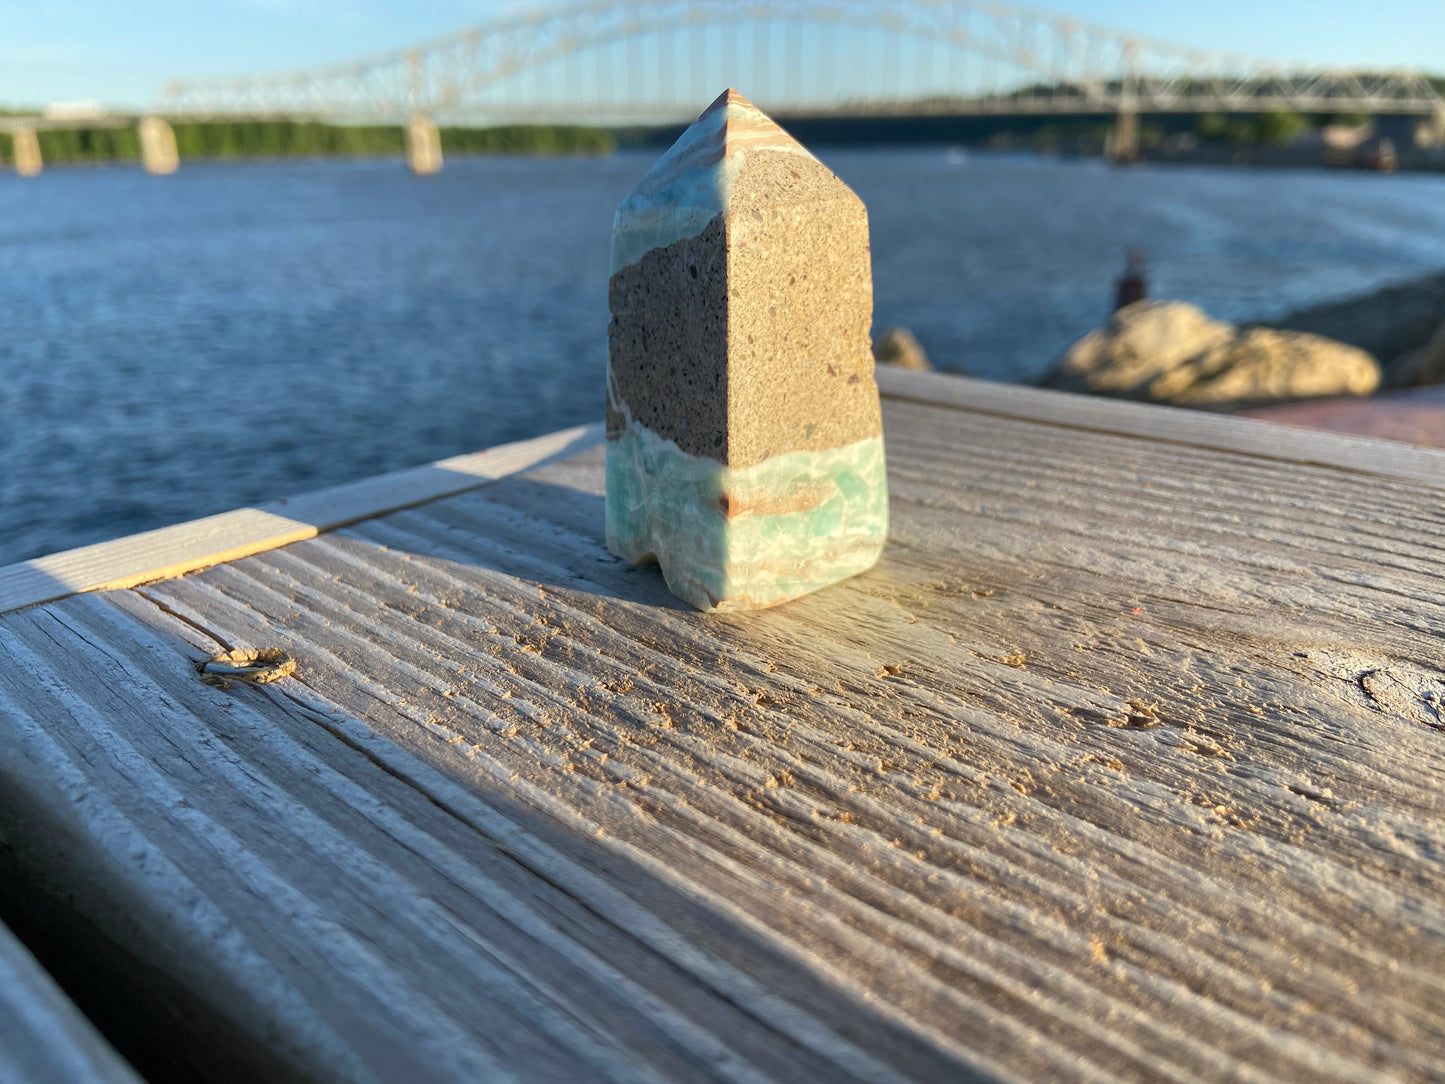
column 290, row 139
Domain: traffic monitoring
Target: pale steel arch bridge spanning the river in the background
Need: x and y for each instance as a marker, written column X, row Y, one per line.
column 644, row 61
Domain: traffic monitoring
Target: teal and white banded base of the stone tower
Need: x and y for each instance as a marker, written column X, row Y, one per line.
column 742, row 538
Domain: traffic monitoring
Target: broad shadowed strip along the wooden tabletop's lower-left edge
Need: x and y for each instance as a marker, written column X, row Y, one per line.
column 426, row 930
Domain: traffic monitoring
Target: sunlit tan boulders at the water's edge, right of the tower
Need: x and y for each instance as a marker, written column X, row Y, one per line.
column 1174, row 353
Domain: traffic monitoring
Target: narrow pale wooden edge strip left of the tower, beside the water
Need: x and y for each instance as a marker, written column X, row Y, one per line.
column 232, row 535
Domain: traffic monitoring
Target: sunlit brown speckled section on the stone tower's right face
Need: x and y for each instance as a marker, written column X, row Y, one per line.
column 800, row 311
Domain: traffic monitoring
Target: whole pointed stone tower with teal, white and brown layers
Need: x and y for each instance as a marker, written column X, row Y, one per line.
column 745, row 446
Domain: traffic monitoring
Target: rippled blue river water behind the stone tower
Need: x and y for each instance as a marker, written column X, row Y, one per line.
column 238, row 333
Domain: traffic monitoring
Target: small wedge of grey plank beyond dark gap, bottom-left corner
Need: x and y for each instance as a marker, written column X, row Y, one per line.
column 44, row 1038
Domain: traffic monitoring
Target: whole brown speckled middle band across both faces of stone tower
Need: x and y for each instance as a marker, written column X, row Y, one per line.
column 752, row 339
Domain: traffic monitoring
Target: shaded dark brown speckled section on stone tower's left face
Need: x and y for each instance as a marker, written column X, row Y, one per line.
column 668, row 343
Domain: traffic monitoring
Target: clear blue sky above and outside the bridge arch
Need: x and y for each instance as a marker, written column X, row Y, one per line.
column 122, row 54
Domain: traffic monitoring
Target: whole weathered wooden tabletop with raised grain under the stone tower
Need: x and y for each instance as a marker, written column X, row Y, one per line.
column 1125, row 765
